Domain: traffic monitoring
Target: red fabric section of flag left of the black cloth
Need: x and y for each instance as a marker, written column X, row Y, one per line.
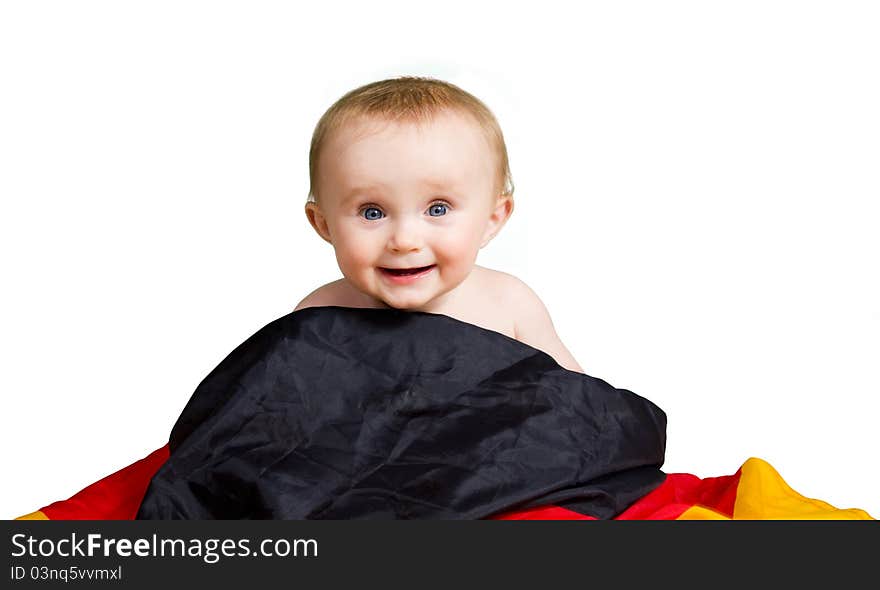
column 116, row 497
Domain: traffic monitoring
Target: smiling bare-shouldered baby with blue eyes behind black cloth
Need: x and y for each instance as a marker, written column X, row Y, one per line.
column 409, row 180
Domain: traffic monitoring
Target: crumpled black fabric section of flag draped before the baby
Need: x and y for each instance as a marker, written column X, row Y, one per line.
column 342, row 413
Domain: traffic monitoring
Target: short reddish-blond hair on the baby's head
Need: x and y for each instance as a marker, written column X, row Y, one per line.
column 408, row 99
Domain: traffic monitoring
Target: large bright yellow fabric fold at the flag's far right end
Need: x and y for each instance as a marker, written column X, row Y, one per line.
column 763, row 495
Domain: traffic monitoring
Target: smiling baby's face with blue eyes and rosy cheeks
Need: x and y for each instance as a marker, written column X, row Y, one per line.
column 407, row 208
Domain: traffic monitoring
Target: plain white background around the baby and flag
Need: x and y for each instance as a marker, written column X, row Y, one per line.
column 696, row 202
